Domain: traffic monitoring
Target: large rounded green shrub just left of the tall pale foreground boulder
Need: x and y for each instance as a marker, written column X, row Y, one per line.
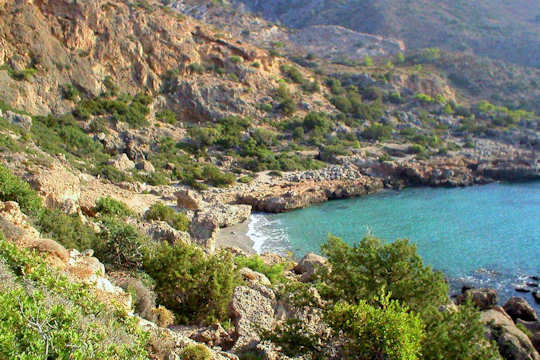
column 196, row 286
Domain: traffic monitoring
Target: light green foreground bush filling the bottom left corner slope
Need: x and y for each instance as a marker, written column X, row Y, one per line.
column 44, row 316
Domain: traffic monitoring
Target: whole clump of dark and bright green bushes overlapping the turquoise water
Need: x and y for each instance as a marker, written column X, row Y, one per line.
column 412, row 321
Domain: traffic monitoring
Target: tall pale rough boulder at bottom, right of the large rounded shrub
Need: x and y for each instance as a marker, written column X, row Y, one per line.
column 252, row 310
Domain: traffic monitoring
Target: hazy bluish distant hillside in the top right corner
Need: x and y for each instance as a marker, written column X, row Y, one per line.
column 507, row 30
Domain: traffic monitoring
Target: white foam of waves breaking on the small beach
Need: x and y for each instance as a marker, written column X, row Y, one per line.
column 266, row 234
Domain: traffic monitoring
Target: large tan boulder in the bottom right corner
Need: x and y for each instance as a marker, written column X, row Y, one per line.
column 512, row 342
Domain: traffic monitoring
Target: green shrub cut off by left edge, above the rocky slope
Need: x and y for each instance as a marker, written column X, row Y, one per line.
column 14, row 189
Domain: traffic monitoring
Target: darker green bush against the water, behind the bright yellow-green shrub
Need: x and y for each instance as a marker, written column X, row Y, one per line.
column 362, row 271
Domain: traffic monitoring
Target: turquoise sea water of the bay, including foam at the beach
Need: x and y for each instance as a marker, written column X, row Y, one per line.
column 482, row 236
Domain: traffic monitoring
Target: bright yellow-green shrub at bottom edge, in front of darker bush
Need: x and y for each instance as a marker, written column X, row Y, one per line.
column 385, row 330
